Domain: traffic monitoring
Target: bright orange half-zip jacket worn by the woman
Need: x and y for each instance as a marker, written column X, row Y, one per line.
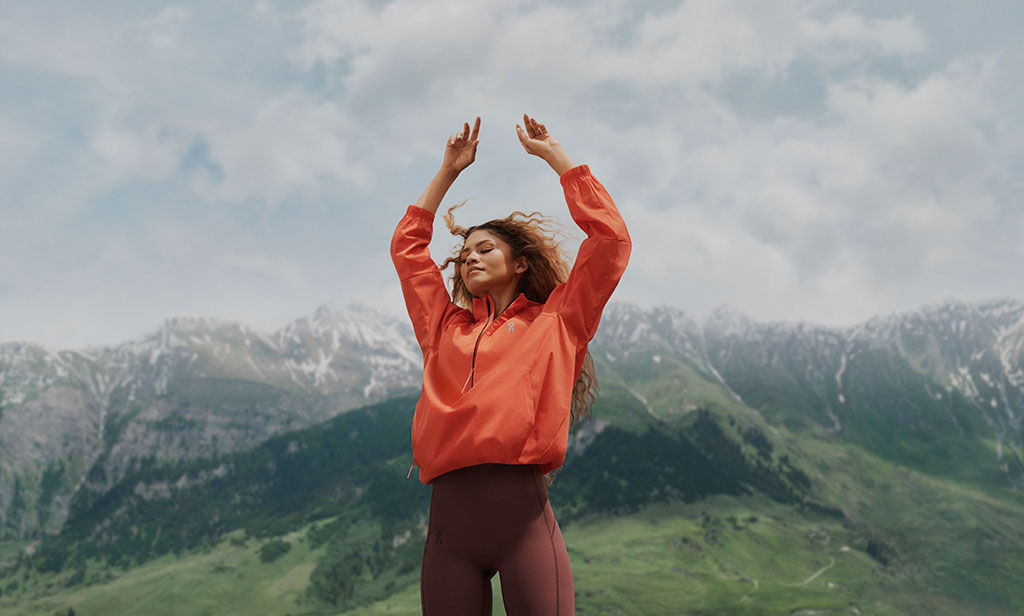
column 498, row 389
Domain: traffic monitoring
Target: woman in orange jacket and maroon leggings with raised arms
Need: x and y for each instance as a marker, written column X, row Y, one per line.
column 504, row 373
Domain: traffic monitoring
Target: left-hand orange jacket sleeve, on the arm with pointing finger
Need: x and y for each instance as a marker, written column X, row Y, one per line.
column 422, row 285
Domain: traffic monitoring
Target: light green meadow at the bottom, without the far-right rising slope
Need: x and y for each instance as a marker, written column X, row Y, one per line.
column 724, row 556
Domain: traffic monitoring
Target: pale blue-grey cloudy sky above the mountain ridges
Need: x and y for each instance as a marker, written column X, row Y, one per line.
column 797, row 160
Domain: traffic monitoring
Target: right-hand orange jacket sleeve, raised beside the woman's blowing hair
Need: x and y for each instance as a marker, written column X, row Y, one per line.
column 602, row 259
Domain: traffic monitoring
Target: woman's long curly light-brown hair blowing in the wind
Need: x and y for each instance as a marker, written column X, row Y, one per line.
column 532, row 237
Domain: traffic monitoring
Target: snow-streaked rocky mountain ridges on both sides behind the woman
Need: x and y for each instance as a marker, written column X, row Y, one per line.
column 74, row 423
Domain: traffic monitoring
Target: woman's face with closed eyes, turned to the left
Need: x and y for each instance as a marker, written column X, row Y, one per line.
column 488, row 266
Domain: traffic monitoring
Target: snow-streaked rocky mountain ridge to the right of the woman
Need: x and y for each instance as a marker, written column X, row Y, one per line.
column 954, row 369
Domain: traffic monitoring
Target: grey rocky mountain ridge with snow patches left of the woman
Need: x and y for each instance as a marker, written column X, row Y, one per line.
column 192, row 388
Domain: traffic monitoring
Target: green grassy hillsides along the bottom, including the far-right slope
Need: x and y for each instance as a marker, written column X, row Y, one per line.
column 954, row 552
